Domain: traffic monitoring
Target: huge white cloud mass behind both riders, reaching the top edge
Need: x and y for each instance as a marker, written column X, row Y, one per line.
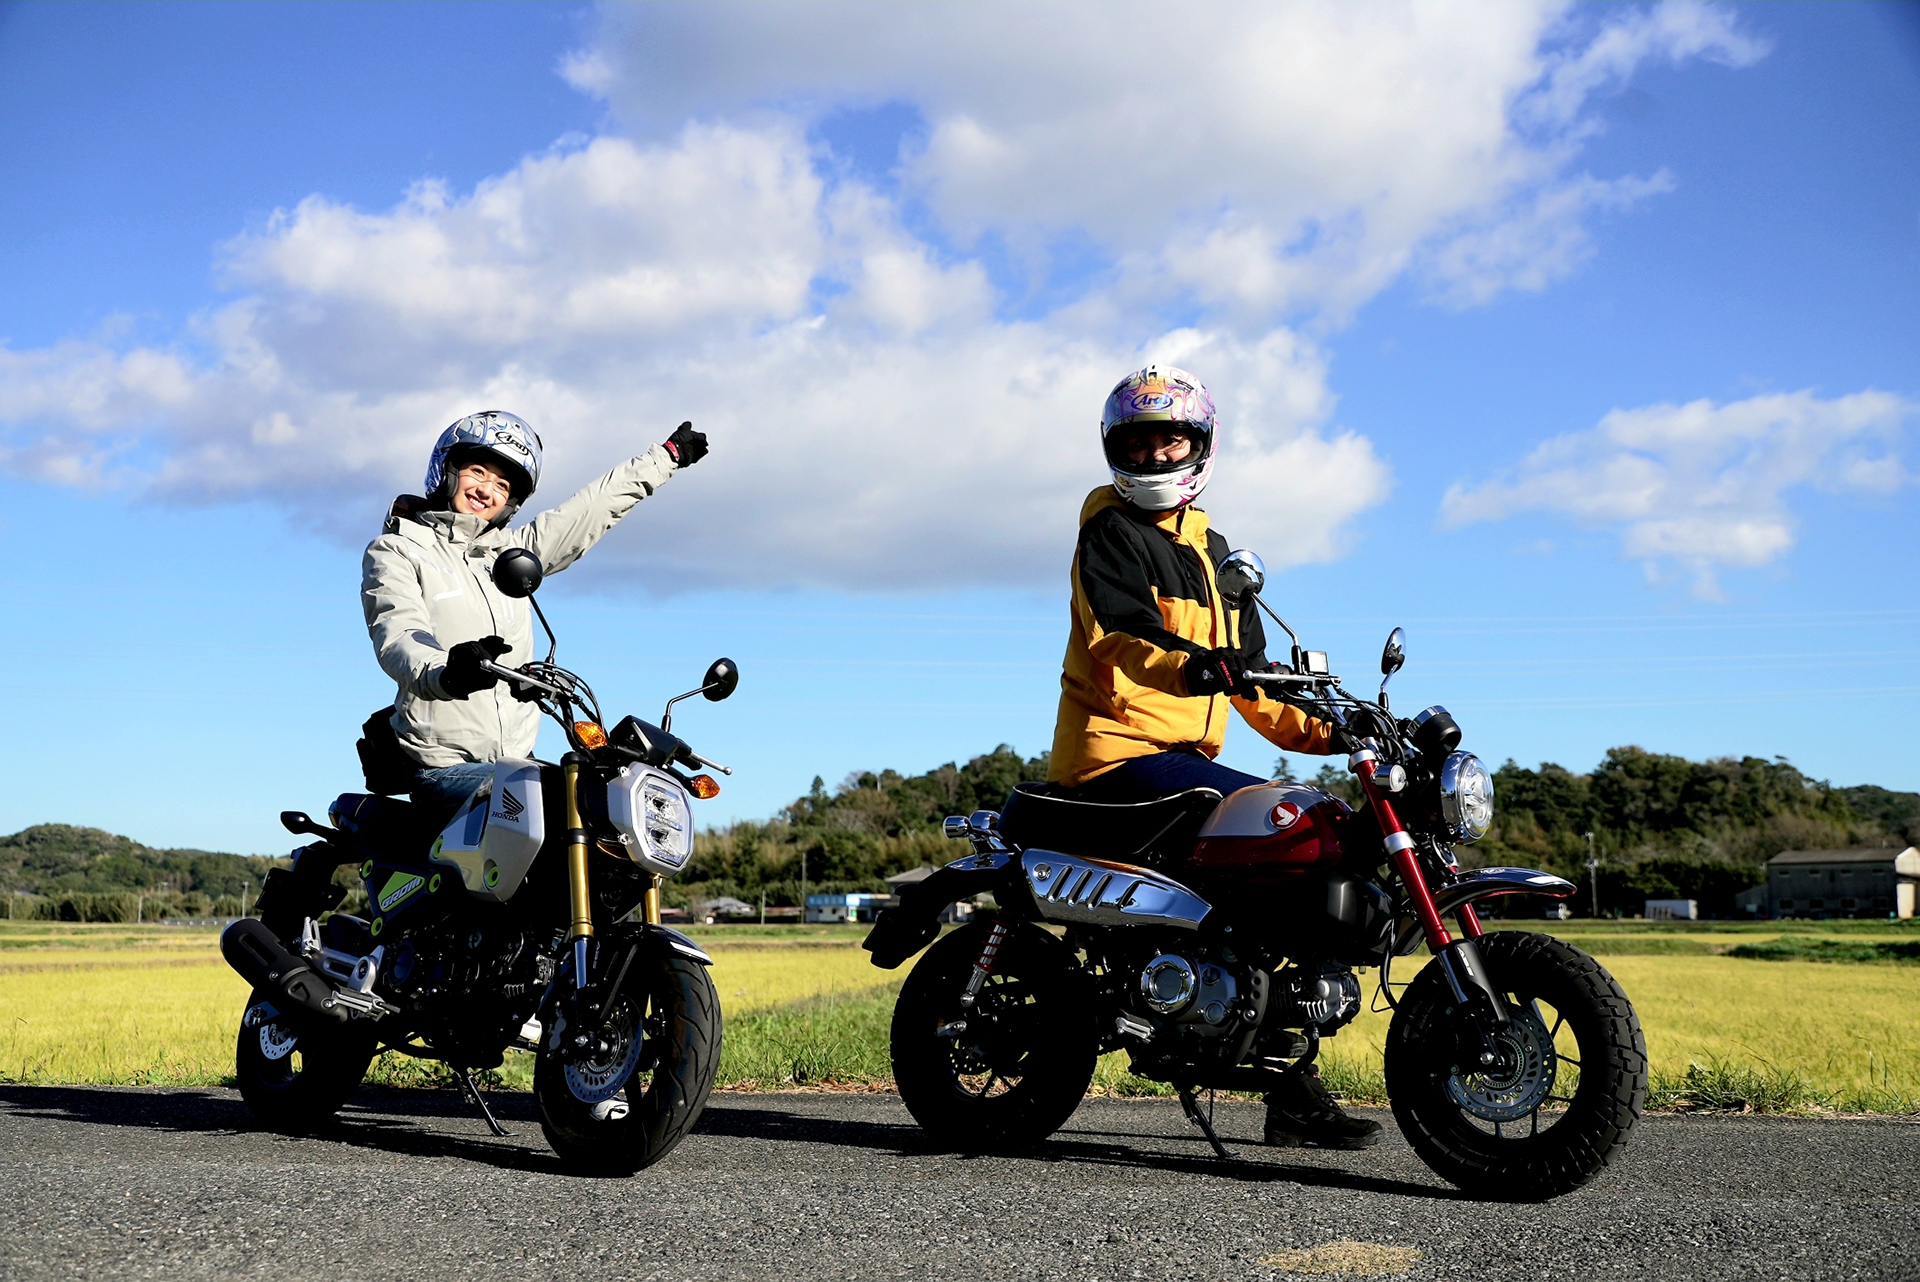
column 882, row 415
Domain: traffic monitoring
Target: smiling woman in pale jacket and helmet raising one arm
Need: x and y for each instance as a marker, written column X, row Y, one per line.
column 433, row 609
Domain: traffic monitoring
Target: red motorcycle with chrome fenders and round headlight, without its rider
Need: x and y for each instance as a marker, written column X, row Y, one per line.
column 1216, row 939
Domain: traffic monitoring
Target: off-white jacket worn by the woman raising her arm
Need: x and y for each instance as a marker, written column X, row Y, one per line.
column 427, row 584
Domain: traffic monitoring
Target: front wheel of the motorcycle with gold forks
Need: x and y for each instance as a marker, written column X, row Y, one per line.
column 633, row 1104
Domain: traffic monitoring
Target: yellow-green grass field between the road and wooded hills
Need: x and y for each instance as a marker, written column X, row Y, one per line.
column 158, row 1007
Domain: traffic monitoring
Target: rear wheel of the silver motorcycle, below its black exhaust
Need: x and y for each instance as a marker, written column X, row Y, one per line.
column 297, row 1080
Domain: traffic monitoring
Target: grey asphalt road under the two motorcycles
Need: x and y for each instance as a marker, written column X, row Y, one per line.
column 124, row 1183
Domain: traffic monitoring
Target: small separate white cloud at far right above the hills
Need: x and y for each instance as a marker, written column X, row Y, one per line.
column 1702, row 487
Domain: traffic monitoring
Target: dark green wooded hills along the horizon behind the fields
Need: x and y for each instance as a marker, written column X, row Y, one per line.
column 1662, row 828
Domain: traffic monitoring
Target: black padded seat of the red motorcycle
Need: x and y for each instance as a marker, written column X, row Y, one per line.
column 1153, row 832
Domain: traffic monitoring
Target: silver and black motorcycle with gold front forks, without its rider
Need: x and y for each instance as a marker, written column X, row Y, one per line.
column 531, row 920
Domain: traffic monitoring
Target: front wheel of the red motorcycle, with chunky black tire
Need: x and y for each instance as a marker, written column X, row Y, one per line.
column 1562, row 1103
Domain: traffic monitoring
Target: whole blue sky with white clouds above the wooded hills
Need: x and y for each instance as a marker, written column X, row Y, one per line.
column 1606, row 392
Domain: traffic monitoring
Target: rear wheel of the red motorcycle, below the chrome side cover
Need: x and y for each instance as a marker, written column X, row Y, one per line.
column 1009, row 1072
